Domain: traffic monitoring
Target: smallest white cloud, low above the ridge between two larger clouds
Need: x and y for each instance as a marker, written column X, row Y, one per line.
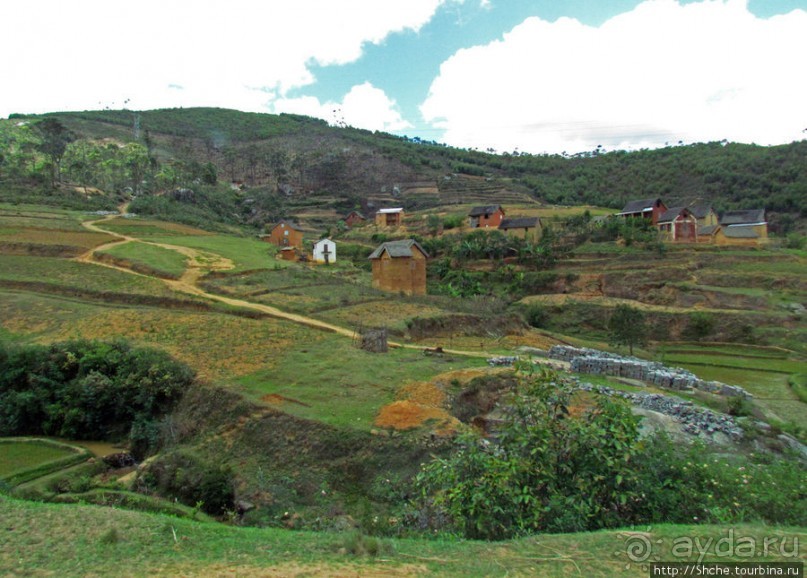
column 364, row 106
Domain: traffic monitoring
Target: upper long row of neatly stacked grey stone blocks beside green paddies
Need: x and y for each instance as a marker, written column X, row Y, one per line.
column 592, row 361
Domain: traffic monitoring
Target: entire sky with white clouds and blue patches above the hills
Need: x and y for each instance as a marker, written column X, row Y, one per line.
column 530, row 76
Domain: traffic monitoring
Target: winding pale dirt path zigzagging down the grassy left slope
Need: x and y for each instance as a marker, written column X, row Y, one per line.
column 199, row 263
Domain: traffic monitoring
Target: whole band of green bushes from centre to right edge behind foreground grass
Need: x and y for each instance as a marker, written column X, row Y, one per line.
column 549, row 469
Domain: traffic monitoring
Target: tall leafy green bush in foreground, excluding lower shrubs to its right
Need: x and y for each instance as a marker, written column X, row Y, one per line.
column 543, row 463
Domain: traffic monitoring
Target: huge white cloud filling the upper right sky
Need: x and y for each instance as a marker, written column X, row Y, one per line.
column 660, row 73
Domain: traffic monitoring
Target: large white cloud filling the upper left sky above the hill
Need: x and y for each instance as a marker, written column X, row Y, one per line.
column 88, row 54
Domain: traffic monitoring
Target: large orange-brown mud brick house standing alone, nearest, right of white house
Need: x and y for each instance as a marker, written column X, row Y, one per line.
column 400, row 267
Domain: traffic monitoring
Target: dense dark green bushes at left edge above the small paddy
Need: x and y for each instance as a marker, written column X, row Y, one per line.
column 89, row 390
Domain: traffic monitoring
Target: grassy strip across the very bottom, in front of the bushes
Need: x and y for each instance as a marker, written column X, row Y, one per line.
column 82, row 540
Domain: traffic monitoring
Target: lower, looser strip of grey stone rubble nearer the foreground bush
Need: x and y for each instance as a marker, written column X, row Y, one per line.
column 695, row 420
